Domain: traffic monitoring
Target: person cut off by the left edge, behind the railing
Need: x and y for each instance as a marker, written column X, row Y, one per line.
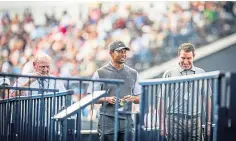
column 4, row 91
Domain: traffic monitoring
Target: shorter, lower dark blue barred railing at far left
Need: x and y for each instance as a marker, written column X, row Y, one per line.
column 29, row 117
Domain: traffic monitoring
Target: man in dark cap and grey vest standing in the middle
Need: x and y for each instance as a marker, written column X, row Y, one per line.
column 129, row 91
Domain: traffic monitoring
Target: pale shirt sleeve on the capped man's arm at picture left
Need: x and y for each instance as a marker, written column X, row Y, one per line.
column 94, row 86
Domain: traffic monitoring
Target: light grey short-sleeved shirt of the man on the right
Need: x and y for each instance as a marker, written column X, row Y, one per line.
column 185, row 97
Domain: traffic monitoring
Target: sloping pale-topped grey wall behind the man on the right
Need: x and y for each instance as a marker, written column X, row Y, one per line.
column 218, row 55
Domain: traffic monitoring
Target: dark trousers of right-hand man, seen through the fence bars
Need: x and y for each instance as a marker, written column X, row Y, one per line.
column 183, row 129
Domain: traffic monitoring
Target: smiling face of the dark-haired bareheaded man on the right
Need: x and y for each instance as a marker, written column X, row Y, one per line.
column 186, row 59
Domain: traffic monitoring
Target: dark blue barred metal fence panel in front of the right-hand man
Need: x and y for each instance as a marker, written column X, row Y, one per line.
column 180, row 108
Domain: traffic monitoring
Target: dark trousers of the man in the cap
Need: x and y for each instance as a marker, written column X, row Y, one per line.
column 106, row 128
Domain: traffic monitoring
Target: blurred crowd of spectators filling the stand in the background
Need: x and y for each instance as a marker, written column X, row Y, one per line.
column 78, row 49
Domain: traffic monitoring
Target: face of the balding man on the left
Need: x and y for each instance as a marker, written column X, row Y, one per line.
column 42, row 67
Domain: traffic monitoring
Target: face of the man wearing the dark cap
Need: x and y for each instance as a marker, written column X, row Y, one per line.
column 119, row 57
